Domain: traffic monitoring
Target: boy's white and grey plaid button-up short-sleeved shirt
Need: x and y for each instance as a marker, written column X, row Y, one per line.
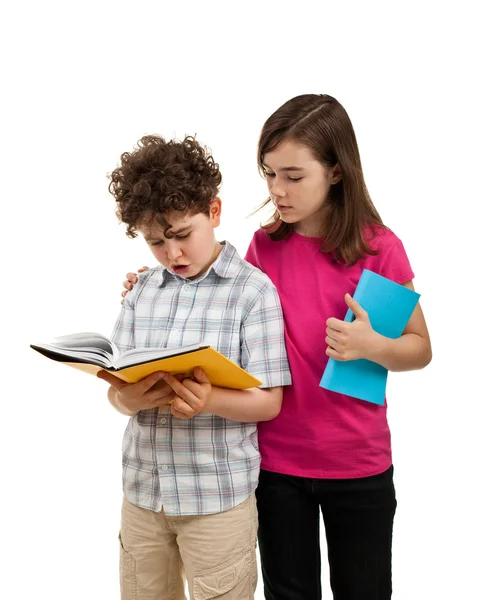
column 206, row 464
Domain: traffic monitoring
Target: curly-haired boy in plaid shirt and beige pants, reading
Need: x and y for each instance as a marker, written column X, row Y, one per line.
column 190, row 468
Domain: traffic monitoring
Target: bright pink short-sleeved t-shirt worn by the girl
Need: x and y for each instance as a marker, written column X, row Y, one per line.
column 322, row 434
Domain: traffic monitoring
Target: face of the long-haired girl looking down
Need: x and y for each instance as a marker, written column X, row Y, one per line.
column 299, row 185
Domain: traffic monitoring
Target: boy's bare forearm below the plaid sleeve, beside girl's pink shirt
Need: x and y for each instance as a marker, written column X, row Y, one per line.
column 249, row 406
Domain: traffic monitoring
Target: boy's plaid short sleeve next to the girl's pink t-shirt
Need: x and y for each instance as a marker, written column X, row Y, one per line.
column 263, row 350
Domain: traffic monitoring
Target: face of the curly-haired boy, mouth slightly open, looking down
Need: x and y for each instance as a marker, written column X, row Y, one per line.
column 189, row 246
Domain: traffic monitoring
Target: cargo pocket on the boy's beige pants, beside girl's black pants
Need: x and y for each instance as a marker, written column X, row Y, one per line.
column 216, row 582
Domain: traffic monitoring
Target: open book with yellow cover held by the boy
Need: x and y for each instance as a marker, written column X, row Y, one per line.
column 91, row 352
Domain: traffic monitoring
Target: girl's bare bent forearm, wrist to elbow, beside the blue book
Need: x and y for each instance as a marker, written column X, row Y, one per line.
column 407, row 353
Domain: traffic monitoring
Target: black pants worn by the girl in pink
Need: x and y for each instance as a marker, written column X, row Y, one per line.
column 358, row 517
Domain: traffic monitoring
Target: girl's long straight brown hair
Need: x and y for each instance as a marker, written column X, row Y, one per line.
column 319, row 122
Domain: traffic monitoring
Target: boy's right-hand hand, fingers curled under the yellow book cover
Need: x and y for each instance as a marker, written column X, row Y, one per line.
column 191, row 395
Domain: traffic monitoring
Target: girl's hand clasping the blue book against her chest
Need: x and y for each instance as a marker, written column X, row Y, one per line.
column 350, row 341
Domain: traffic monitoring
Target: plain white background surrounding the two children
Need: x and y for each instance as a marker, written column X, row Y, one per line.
column 81, row 84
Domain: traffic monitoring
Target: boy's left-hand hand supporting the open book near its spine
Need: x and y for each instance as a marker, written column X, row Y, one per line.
column 150, row 392
